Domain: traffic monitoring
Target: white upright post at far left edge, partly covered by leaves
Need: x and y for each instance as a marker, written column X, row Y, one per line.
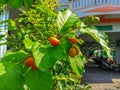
column 3, row 31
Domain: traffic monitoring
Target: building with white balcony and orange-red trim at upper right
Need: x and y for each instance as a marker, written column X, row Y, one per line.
column 109, row 13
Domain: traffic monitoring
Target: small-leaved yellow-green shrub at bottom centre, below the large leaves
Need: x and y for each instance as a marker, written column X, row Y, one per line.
column 65, row 78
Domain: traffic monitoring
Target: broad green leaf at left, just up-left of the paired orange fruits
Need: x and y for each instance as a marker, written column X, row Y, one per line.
column 15, row 56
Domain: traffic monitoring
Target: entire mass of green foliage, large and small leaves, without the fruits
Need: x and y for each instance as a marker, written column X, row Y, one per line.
column 30, row 35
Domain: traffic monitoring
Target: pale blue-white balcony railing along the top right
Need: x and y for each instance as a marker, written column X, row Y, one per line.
column 85, row 3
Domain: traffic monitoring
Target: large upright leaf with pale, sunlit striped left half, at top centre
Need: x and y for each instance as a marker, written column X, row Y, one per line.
column 66, row 19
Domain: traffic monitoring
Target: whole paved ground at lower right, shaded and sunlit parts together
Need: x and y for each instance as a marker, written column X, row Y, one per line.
column 100, row 79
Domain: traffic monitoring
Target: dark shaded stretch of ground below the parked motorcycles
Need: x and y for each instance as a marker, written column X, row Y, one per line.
column 93, row 74
